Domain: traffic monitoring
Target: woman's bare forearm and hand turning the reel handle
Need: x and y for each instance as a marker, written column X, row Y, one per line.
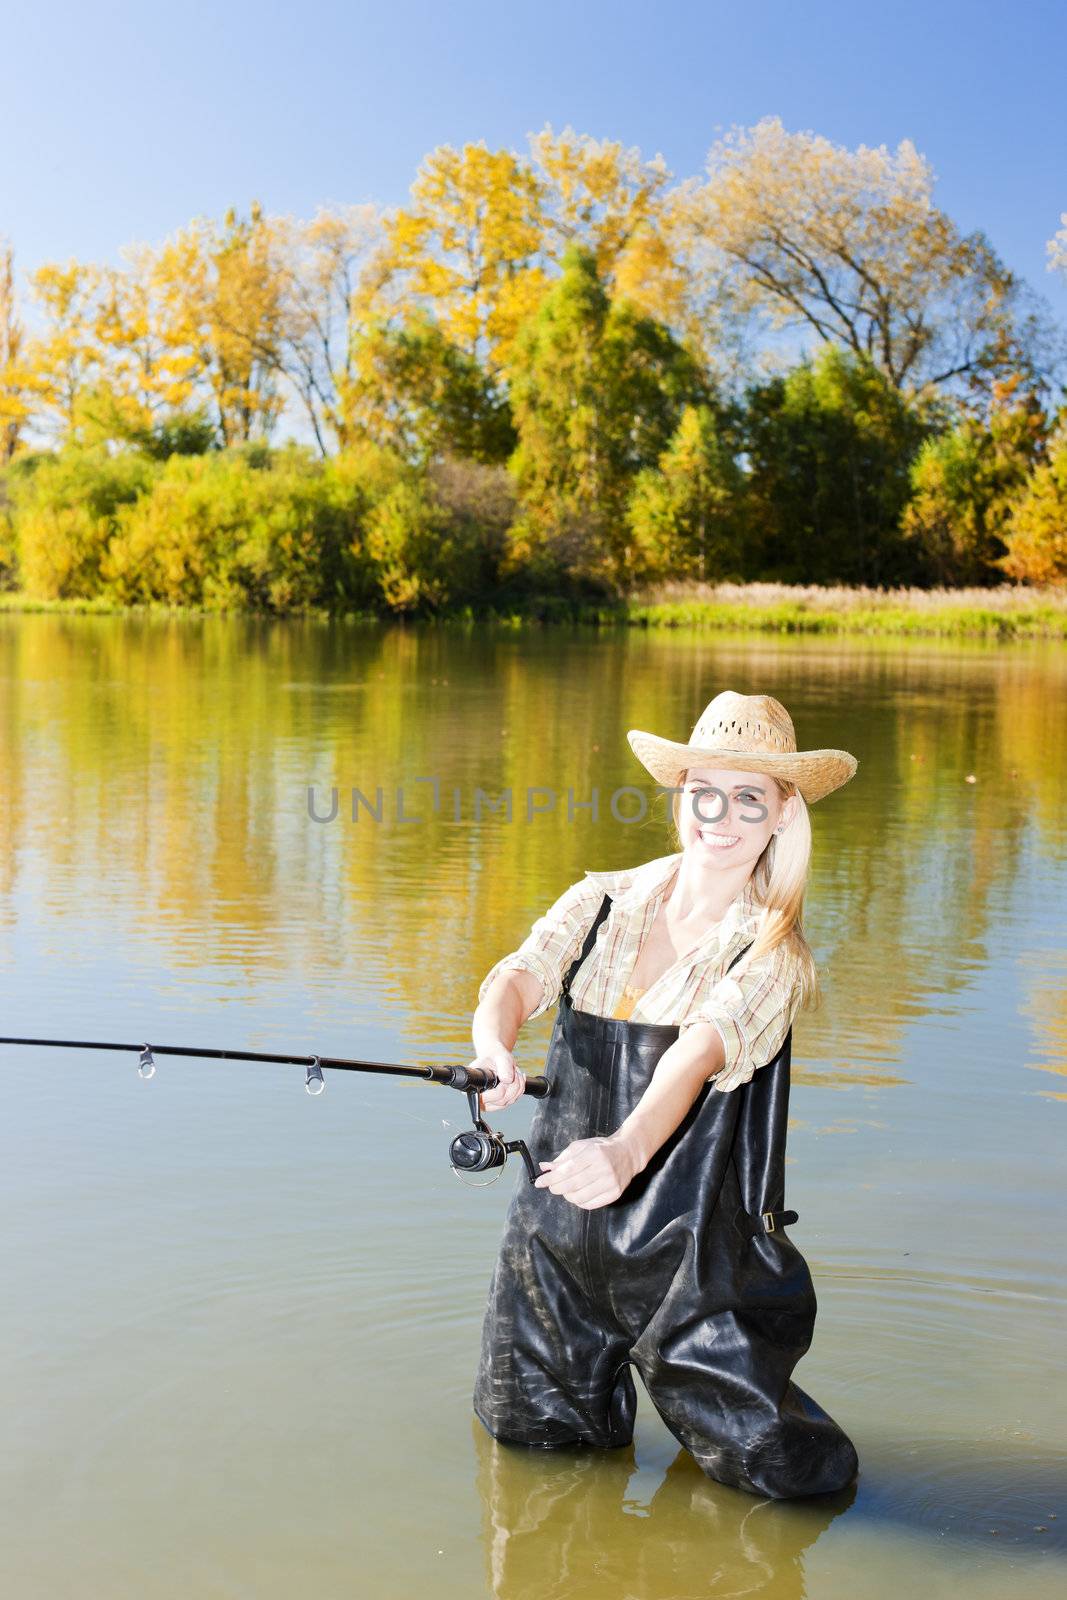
column 596, row 1172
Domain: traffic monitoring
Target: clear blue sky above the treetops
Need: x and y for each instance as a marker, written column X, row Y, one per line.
column 122, row 122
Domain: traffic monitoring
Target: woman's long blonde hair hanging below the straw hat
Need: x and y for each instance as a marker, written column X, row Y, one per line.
column 778, row 882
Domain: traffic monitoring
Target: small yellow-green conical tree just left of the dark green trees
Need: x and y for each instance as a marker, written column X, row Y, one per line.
column 685, row 511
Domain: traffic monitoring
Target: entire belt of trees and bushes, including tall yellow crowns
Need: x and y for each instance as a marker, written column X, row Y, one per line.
column 569, row 316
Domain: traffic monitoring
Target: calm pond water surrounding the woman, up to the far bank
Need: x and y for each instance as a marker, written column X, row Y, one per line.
column 241, row 1324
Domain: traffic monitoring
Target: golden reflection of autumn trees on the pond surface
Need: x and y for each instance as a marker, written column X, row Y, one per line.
column 166, row 766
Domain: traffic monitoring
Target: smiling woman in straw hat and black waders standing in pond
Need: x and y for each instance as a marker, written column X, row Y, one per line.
column 653, row 1236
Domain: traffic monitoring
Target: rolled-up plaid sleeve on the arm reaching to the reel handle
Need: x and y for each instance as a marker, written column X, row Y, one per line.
column 753, row 1015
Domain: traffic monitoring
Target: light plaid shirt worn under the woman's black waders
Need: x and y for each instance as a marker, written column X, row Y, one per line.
column 753, row 1012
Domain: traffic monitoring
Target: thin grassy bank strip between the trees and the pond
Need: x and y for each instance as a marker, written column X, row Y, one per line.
column 1007, row 612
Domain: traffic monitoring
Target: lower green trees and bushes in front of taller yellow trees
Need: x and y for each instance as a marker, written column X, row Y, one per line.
column 625, row 471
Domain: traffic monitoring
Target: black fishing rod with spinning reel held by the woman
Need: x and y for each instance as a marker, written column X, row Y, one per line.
column 476, row 1151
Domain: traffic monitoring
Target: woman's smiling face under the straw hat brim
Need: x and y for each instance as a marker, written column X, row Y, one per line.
column 727, row 817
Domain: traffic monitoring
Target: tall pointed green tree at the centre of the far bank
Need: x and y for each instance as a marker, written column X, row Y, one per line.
column 597, row 391
